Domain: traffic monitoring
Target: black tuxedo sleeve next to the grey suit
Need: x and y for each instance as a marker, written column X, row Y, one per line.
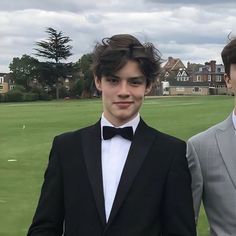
column 178, row 202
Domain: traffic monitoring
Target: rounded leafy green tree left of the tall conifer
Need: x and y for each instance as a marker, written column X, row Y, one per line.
column 24, row 70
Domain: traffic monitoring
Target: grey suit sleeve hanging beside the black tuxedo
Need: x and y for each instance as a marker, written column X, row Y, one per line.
column 197, row 179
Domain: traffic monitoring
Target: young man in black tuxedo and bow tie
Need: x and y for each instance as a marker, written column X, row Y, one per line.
column 118, row 177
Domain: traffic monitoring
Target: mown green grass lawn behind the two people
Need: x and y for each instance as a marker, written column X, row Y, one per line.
column 27, row 130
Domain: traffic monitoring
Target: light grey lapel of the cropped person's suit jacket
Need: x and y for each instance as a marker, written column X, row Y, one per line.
column 227, row 144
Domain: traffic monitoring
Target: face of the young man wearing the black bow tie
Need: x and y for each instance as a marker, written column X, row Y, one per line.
column 123, row 93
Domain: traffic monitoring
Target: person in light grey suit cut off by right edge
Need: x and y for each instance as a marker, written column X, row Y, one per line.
column 212, row 161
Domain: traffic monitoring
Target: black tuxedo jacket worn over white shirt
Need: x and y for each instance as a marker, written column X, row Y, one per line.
column 153, row 197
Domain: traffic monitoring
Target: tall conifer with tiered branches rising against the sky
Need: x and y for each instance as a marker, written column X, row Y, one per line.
column 55, row 48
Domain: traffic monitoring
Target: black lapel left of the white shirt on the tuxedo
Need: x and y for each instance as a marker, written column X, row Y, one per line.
column 91, row 140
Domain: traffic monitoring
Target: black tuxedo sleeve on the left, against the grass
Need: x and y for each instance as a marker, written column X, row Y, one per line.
column 49, row 215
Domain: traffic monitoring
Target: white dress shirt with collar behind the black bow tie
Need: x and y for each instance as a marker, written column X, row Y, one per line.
column 114, row 155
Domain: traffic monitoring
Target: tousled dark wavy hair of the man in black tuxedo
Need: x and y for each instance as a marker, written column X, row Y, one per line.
column 113, row 53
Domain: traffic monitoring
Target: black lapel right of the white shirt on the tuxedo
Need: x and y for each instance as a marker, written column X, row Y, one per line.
column 140, row 146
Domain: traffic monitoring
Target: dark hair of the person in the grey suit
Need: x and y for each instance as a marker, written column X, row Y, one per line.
column 228, row 55
